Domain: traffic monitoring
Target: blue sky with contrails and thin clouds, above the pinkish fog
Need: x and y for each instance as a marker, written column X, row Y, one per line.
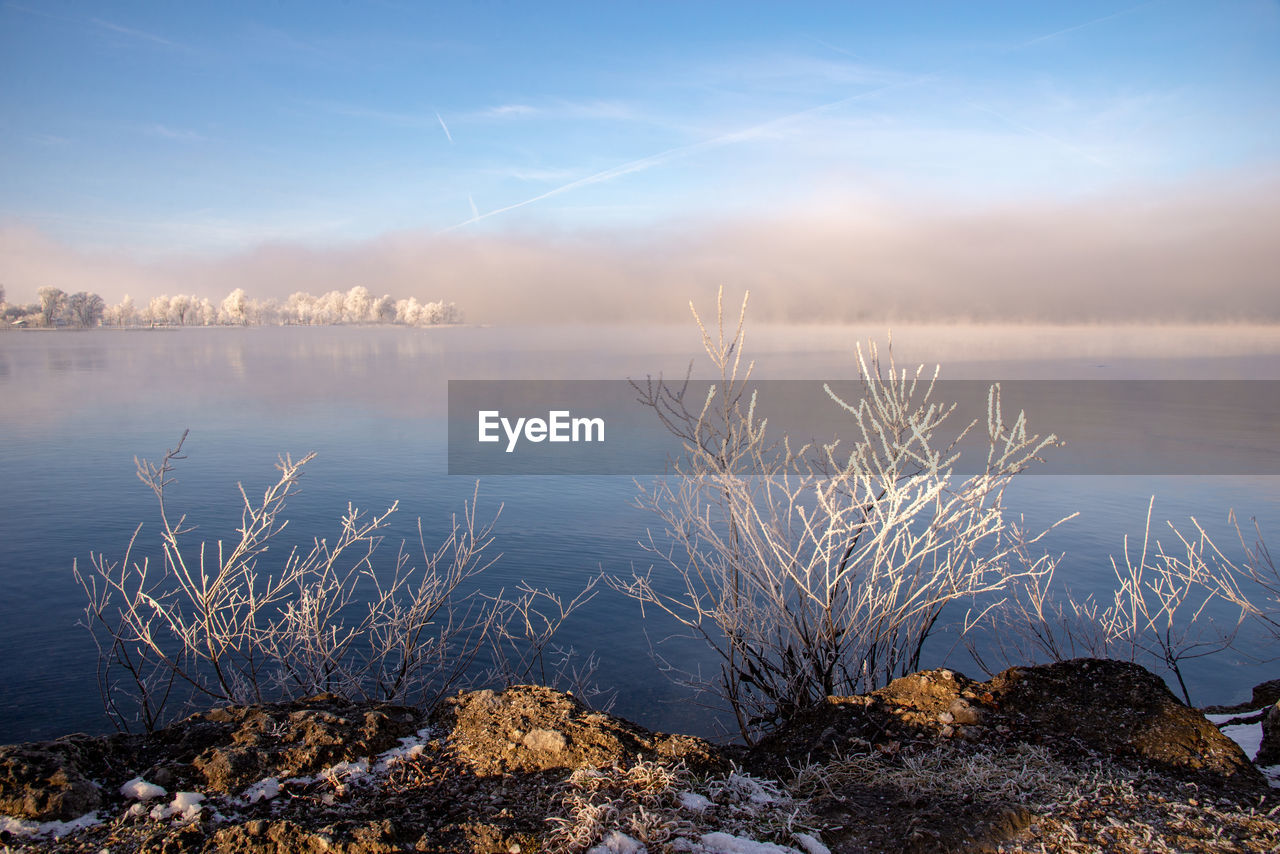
column 207, row 130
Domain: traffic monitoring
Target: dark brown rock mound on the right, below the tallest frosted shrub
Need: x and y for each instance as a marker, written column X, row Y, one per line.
column 1076, row 709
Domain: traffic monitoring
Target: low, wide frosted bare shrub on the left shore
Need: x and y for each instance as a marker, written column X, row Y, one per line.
column 212, row 623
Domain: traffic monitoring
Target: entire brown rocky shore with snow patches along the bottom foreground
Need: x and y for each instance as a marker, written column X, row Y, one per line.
column 1084, row 756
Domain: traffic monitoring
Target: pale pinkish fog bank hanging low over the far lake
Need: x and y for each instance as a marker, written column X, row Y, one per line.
column 1190, row 254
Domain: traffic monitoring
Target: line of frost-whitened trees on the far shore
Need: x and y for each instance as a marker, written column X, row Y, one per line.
column 86, row 310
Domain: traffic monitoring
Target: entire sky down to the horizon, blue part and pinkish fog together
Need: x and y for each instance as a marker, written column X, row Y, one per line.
column 605, row 161
